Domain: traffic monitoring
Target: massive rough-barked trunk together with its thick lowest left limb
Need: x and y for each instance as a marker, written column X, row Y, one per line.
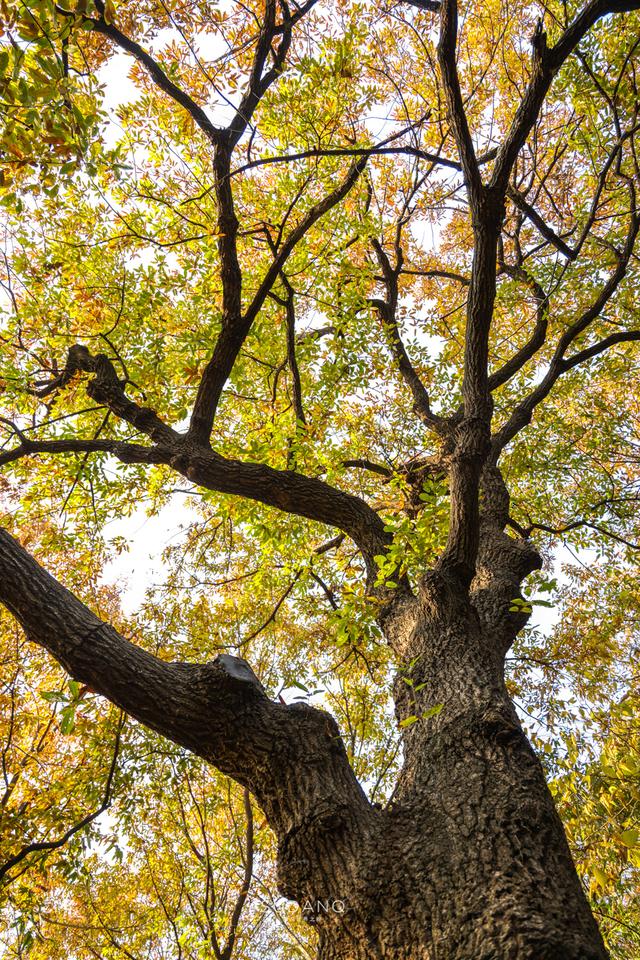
column 469, row 860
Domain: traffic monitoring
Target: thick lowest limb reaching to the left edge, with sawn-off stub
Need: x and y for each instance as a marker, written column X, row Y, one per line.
column 287, row 756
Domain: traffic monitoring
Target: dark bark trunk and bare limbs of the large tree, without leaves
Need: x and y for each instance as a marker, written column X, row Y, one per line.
column 469, row 861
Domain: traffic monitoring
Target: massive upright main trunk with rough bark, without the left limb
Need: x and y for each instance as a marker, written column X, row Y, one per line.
column 469, row 861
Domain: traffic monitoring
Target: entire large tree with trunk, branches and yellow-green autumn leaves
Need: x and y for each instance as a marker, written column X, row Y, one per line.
column 238, row 293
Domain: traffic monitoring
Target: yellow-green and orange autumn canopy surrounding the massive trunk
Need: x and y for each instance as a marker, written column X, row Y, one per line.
column 270, row 246
